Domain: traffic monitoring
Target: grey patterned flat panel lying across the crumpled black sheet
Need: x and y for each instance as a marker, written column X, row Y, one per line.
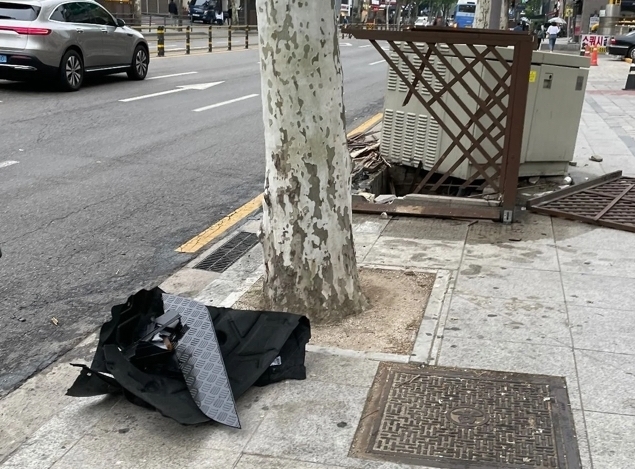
column 201, row 362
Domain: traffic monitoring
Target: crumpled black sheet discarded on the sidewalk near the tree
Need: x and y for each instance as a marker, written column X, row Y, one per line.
column 257, row 347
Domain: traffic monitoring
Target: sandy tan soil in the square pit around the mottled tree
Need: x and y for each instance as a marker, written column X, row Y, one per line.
column 396, row 300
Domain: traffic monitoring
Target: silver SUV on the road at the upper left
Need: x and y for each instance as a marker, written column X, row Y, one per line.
column 67, row 40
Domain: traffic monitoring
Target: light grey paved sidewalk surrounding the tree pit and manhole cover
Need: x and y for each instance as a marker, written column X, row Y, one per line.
column 543, row 296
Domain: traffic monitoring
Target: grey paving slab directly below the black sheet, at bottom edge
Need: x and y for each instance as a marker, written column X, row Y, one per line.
column 139, row 434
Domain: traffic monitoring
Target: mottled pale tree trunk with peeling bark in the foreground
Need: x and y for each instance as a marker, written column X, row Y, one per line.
column 310, row 265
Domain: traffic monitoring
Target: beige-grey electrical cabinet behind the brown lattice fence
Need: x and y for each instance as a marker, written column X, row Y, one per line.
column 557, row 83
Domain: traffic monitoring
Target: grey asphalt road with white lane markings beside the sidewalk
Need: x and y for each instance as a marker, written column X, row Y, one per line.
column 96, row 194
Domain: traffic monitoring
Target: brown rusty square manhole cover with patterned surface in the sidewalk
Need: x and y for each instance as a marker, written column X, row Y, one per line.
column 456, row 418
